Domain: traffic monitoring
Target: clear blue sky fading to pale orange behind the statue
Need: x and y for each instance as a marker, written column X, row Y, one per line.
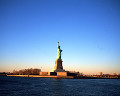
column 88, row 32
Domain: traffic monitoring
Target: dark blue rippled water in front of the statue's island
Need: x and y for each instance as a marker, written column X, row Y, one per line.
column 23, row 86
